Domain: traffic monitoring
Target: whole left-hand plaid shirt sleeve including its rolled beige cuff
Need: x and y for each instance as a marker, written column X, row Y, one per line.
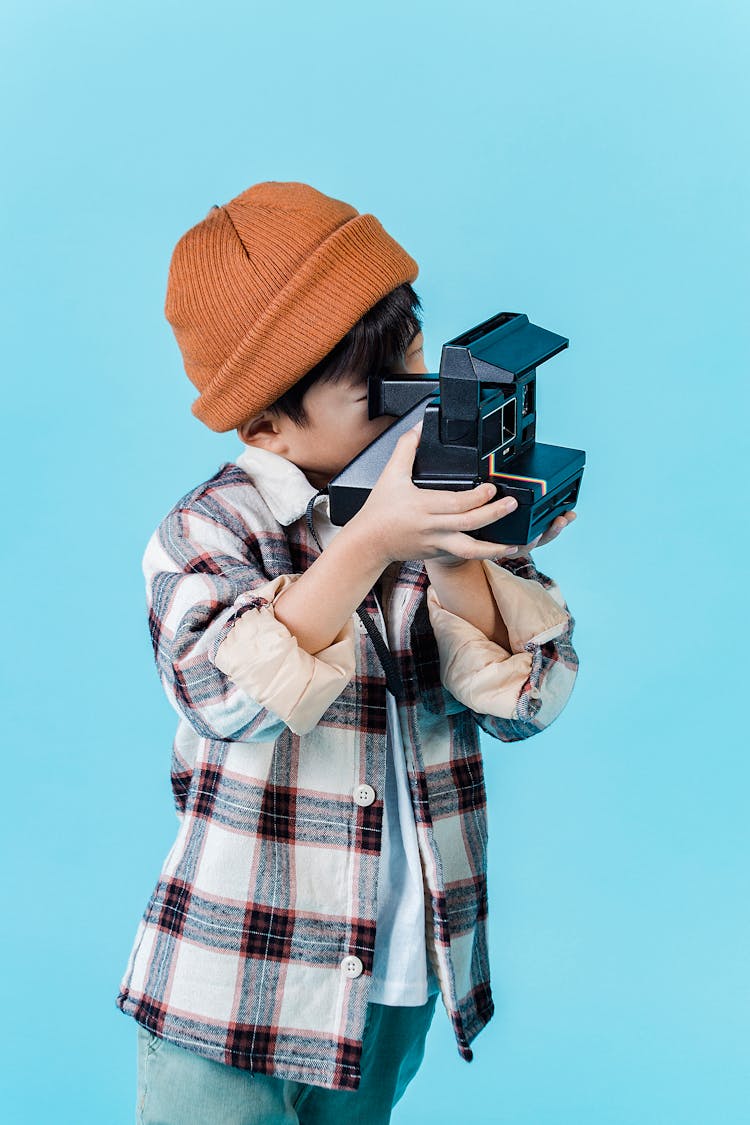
column 204, row 580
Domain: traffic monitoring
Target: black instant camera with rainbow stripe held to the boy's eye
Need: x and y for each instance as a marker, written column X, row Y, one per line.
column 480, row 424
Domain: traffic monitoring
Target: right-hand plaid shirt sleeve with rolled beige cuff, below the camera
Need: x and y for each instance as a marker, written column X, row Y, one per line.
column 511, row 695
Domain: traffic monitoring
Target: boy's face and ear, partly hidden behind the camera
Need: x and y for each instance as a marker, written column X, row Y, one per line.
column 338, row 429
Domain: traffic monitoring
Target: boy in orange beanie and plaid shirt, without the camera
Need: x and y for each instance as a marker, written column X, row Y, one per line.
column 329, row 876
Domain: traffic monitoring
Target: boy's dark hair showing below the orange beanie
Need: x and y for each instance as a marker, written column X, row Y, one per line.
column 378, row 340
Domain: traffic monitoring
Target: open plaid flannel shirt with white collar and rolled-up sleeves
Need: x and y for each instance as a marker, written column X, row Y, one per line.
column 256, row 947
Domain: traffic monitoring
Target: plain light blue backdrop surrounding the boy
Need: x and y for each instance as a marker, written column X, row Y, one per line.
column 584, row 164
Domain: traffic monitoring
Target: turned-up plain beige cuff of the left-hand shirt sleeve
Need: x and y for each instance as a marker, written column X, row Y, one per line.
column 264, row 658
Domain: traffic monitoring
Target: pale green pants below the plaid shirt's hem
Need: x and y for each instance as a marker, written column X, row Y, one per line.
column 179, row 1087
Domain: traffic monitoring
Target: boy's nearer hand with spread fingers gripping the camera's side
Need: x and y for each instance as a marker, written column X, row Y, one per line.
column 403, row 523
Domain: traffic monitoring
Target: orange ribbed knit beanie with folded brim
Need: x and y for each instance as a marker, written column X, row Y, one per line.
column 266, row 286
